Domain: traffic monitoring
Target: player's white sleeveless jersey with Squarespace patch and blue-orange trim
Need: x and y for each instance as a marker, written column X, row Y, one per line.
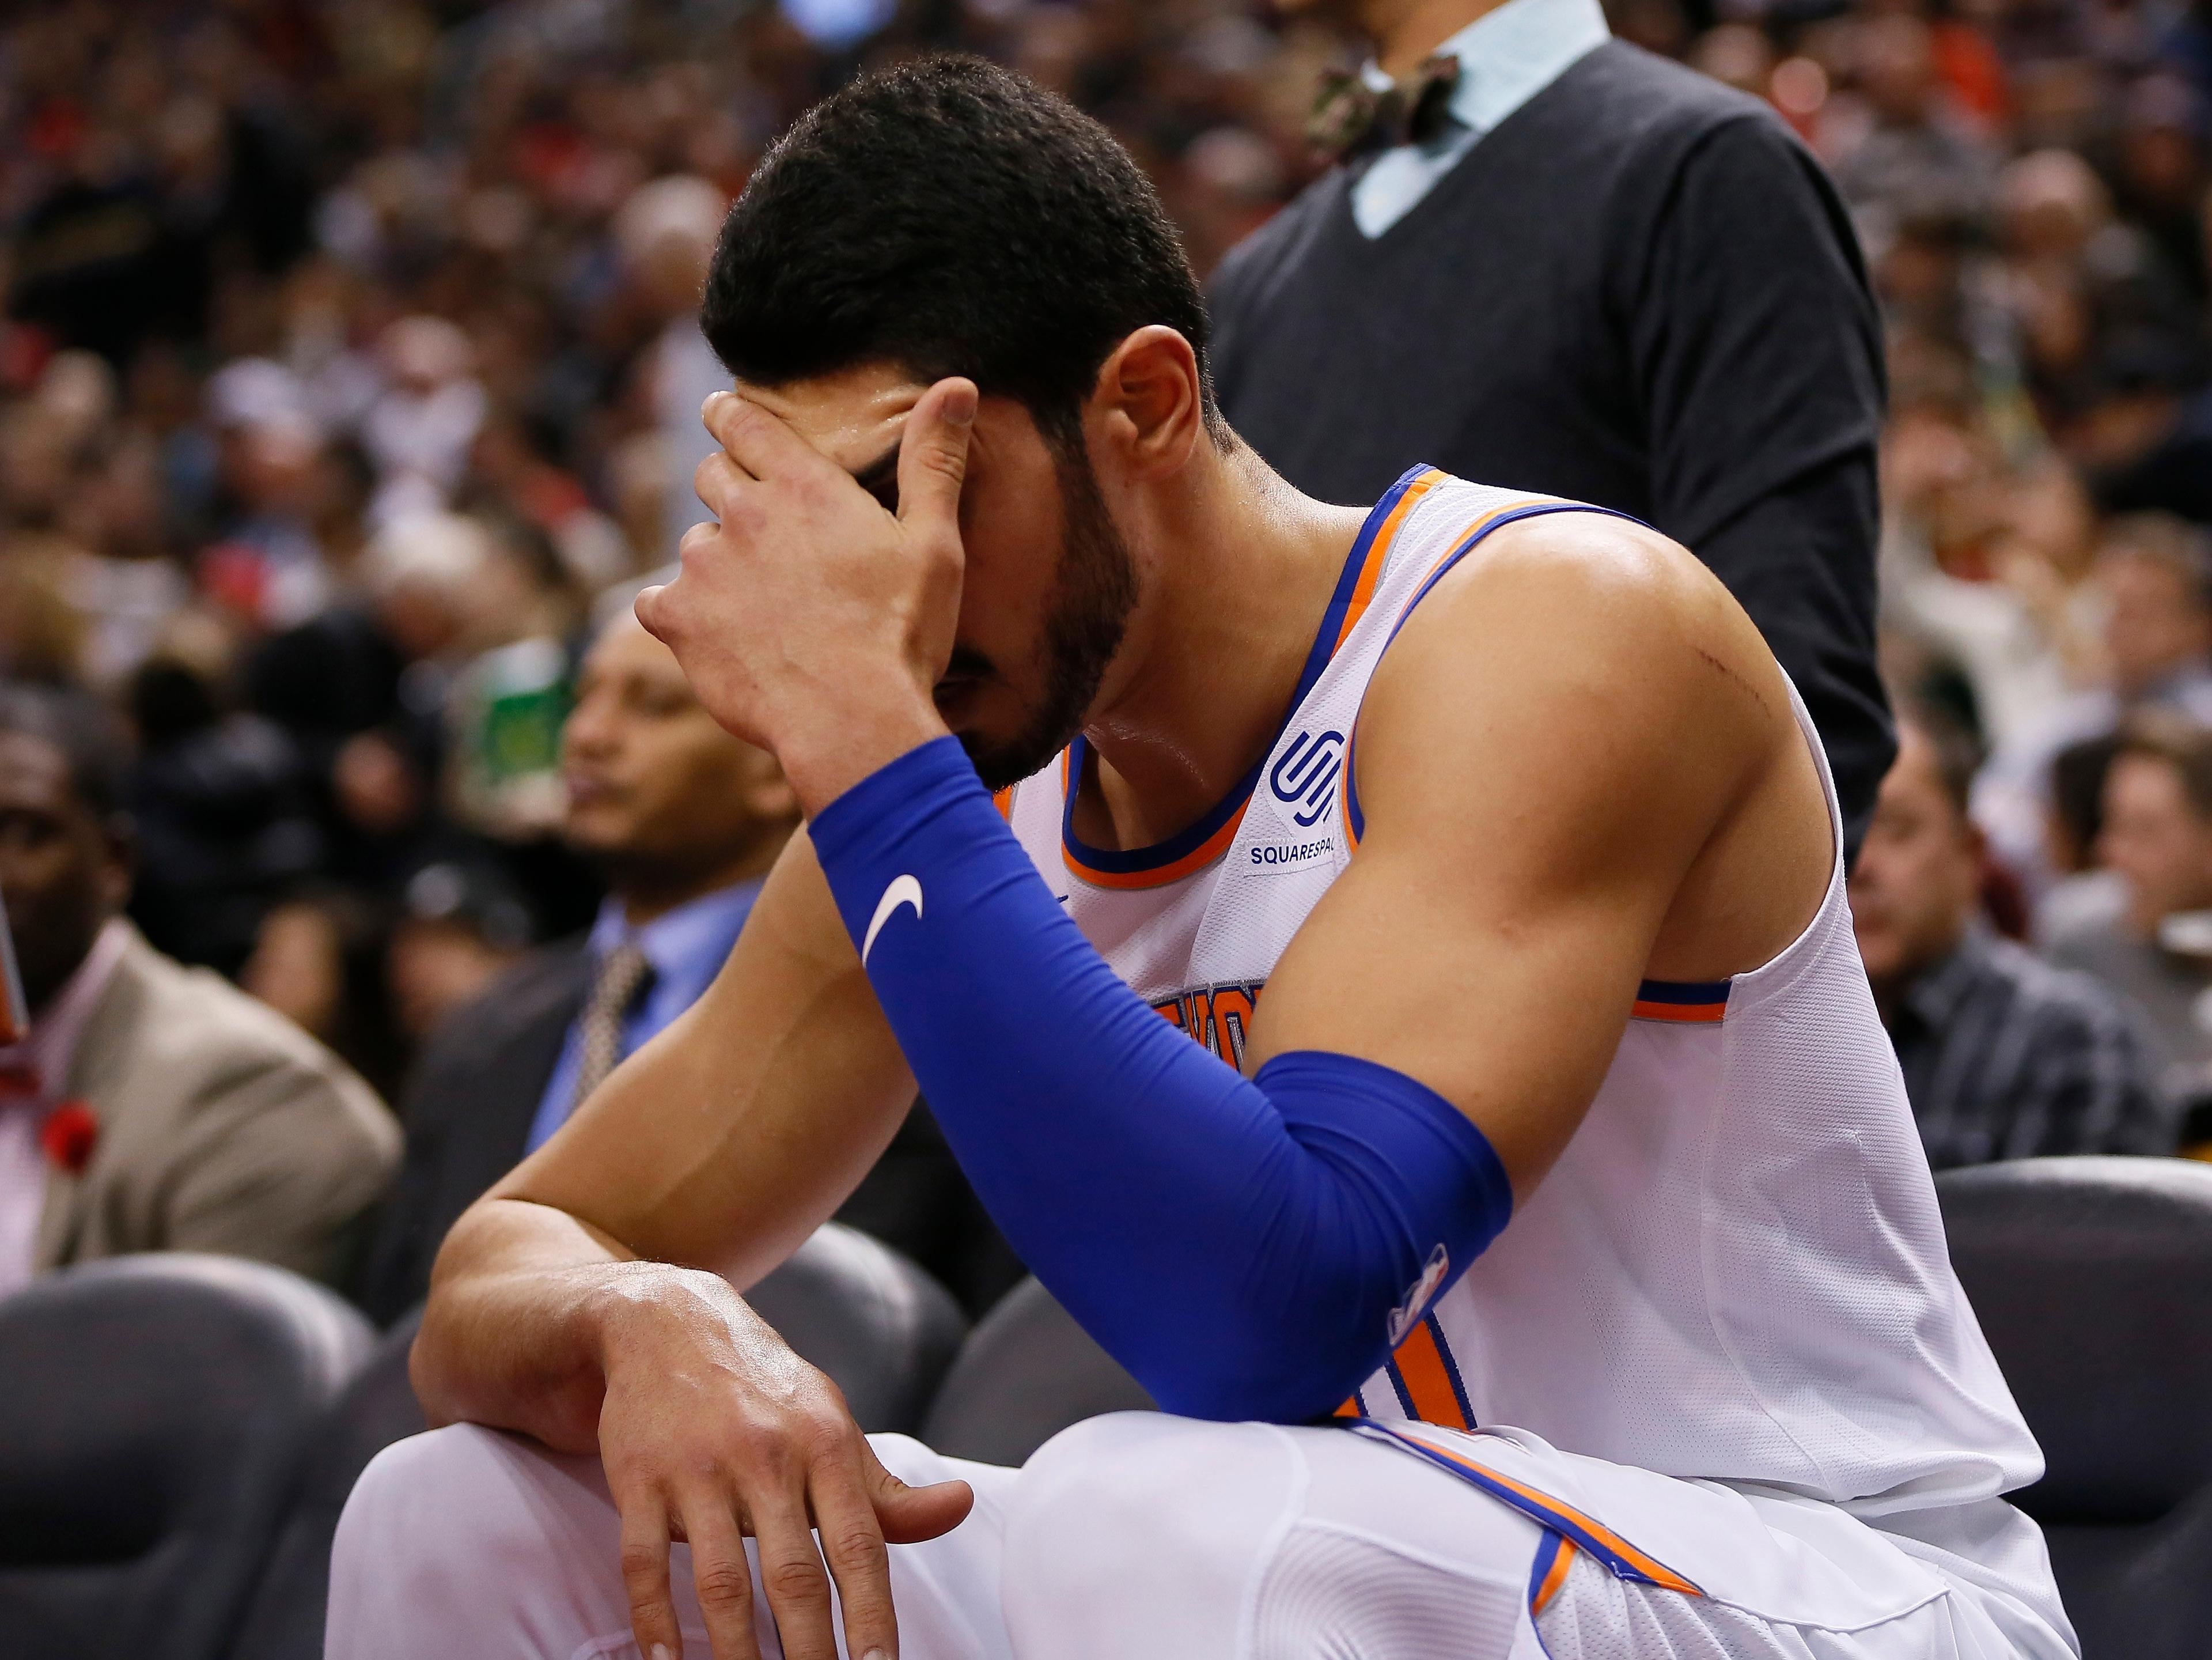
column 1738, row 1269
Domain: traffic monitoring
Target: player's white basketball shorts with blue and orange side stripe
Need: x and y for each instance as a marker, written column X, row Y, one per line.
column 1147, row 1537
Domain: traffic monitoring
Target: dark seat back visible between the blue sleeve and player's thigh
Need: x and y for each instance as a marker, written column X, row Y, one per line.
column 1025, row 1376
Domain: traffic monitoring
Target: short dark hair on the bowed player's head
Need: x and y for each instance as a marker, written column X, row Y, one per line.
column 952, row 218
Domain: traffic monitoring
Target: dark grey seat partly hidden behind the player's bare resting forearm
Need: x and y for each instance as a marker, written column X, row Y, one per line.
column 859, row 1311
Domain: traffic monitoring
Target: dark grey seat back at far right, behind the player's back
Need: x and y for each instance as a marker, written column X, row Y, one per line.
column 2091, row 1278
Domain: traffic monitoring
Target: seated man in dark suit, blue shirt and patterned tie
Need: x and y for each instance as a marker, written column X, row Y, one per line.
column 685, row 820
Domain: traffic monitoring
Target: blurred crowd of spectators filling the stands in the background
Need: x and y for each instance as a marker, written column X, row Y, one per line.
column 348, row 362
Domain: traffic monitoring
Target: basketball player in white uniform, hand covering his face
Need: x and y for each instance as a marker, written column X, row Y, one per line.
column 1401, row 1002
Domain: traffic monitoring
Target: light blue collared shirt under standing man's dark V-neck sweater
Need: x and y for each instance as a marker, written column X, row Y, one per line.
column 1507, row 59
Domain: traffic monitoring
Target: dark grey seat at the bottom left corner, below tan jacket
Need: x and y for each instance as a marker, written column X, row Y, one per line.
column 156, row 1420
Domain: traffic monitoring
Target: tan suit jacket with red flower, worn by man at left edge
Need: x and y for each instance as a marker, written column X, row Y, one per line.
column 222, row 1128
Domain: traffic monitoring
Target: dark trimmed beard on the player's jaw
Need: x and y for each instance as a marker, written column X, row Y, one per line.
column 1094, row 594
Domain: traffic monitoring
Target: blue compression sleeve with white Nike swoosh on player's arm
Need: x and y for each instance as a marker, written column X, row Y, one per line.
column 1251, row 1249
